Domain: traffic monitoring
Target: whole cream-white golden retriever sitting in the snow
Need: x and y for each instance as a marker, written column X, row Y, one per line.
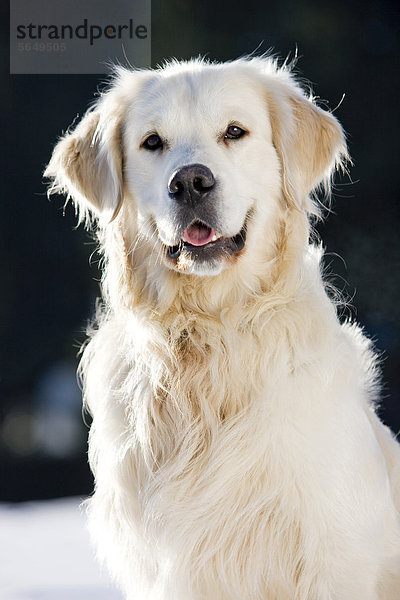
column 235, row 447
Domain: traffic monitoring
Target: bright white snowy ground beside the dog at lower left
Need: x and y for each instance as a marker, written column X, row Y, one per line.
column 45, row 554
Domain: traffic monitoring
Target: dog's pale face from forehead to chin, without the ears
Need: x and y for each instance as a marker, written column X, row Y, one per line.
column 200, row 163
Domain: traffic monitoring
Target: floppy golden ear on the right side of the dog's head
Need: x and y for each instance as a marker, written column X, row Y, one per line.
column 309, row 141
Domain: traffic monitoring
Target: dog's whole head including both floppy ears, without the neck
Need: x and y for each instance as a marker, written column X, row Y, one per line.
column 205, row 155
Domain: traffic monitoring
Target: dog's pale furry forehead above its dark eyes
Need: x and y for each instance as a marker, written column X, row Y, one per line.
column 208, row 96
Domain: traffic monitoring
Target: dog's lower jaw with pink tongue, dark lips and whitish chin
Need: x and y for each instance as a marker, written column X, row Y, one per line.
column 206, row 257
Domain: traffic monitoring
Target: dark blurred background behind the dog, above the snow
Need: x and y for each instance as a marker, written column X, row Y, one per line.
column 48, row 287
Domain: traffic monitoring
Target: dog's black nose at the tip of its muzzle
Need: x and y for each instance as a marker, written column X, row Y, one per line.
column 191, row 183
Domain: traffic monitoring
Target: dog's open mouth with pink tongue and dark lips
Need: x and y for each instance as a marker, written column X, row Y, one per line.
column 201, row 241
